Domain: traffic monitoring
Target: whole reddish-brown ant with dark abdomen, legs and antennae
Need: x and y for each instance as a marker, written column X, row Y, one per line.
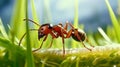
column 58, row 31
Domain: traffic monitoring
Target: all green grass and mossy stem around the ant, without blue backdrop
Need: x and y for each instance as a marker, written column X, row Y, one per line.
column 12, row 55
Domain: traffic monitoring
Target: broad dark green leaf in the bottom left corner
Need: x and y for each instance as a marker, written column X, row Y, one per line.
column 16, row 54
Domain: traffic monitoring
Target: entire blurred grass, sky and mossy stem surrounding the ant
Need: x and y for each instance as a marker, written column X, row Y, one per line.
column 100, row 19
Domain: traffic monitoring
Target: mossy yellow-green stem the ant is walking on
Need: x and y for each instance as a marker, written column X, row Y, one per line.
column 102, row 56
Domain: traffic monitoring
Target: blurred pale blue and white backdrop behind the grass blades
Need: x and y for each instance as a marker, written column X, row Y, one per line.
column 91, row 13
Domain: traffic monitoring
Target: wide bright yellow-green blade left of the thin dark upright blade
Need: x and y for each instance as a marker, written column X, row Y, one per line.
column 17, row 23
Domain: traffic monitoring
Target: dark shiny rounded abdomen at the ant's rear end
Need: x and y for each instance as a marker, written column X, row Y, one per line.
column 81, row 35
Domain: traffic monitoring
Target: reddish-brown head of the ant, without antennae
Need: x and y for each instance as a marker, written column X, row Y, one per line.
column 44, row 30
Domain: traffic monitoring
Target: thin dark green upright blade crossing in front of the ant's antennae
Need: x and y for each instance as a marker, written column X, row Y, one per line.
column 29, row 56
